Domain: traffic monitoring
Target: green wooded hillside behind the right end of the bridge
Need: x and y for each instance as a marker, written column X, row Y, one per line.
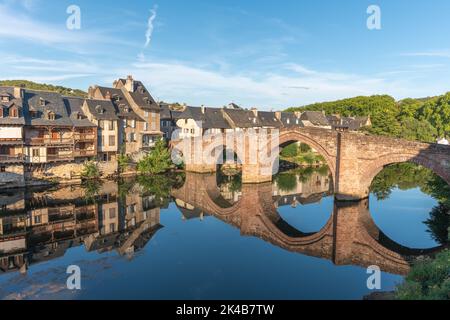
column 413, row 119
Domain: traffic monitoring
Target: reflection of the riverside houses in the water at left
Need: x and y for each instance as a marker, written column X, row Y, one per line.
column 37, row 226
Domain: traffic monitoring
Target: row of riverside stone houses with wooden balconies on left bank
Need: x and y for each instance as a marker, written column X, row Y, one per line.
column 41, row 130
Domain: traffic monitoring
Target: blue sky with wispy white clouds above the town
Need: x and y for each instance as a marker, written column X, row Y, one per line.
column 270, row 54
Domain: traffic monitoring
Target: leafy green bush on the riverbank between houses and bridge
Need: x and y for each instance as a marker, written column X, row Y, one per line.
column 157, row 161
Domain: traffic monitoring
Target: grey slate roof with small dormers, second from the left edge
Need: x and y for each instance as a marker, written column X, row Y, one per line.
column 52, row 102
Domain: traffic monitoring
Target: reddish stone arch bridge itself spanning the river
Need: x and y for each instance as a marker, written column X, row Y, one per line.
column 353, row 158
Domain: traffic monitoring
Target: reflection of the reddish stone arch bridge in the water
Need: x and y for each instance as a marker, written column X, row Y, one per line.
column 350, row 237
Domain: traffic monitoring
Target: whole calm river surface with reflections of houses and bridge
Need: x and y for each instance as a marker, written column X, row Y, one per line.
column 205, row 237
